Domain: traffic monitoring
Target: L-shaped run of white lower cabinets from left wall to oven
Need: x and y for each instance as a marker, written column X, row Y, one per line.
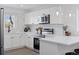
column 17, row 41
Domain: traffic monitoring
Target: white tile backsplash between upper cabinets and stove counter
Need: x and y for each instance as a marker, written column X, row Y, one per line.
column 58, row 28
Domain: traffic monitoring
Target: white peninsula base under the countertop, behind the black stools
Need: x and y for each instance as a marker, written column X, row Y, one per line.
column 52, row 48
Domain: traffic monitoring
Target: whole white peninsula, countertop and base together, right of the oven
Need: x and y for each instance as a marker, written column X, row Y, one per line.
column 58, row 45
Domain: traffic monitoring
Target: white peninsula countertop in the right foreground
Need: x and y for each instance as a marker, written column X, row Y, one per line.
column 66, row 40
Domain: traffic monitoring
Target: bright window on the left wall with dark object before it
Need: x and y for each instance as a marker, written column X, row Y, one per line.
column 9, row 22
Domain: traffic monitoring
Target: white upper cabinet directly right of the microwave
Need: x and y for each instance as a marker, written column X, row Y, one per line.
column 56, row 15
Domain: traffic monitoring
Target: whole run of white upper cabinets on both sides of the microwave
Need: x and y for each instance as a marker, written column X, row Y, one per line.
column 36, row 17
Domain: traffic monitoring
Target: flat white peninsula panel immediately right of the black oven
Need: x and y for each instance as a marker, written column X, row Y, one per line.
column 48, row 48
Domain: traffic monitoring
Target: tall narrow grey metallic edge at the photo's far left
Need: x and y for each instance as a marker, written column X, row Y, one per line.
column 1, row 31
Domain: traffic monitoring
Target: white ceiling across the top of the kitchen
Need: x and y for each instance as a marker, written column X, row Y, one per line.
column 32, row 7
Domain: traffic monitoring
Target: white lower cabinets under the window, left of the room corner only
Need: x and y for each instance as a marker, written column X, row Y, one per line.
column 14, row 41
